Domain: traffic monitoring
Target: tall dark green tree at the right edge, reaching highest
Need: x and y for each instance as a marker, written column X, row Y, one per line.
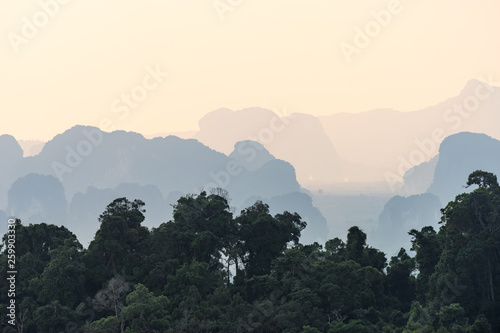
column 470, row 256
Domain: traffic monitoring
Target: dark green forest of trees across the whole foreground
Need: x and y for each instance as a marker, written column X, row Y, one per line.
column 207, row 270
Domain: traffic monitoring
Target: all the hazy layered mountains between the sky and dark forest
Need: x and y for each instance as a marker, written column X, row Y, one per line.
column 383, row 170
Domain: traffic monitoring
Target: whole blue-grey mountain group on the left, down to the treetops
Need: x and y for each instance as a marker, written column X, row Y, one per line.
column 83, row 169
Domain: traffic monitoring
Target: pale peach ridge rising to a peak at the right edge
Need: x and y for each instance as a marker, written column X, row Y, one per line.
column 393, row 141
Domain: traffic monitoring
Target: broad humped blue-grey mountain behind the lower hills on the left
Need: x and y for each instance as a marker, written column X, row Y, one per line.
column 85, row 156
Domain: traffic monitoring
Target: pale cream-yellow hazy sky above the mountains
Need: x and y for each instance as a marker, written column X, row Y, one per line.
column 86, row 56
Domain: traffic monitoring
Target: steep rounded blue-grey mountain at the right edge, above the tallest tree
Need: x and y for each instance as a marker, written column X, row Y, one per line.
column 459, row 155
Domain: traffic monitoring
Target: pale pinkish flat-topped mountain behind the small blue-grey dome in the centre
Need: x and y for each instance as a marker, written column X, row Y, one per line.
column 298, row 139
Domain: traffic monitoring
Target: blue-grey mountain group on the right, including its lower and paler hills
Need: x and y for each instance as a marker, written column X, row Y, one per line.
column 459, row 155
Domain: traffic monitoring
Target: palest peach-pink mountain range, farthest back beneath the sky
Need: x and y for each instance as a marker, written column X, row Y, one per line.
column 370, row 146
